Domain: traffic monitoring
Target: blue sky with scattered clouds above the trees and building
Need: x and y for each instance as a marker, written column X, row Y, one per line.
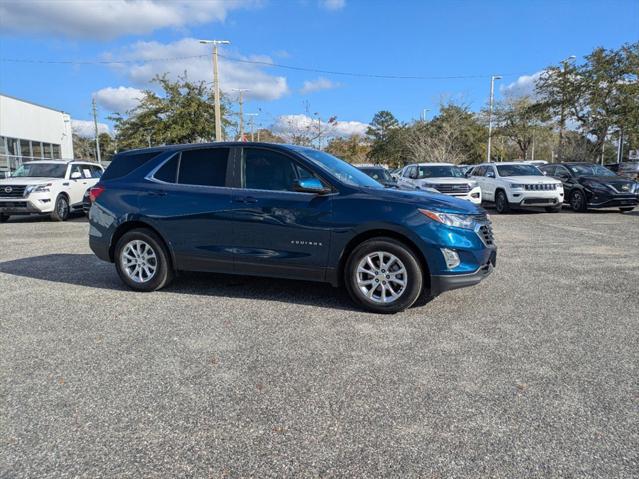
column 409, row 38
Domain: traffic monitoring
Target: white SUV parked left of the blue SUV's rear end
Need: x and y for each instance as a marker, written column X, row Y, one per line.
column 54, row 187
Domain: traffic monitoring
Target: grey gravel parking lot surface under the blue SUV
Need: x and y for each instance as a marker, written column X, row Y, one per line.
column 532, row 373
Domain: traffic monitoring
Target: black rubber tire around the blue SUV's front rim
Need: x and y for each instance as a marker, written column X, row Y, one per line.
column 413, row 277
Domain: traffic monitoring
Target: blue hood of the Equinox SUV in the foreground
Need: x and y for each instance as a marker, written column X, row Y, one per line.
column 424, row 199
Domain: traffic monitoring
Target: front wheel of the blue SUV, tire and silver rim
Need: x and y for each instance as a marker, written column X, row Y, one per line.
column 383, row 276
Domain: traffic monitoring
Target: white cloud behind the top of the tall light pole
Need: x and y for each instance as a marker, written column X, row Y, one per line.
column 179, row 58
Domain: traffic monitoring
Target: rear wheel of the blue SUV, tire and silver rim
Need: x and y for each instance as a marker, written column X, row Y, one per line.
column 142, row 261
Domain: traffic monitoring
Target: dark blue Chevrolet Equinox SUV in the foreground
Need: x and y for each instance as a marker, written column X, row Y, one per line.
column 283, row 211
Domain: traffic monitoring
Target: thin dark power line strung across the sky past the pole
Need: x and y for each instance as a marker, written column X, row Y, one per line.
column 260, row 63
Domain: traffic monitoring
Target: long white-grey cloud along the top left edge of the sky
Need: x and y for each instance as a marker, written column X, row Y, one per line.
column 113, row 18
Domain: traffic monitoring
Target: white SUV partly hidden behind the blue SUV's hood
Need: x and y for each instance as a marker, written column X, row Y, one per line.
column 444, row 178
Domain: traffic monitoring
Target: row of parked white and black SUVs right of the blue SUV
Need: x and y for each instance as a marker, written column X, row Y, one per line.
column 529, row 184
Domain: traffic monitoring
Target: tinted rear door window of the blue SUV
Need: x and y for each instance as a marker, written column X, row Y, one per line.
column 204, row 167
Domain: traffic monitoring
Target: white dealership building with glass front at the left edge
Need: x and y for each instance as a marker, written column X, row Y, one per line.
column 29, row 131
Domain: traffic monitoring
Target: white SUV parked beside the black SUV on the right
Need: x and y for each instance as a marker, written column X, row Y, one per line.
column 517, row 185
